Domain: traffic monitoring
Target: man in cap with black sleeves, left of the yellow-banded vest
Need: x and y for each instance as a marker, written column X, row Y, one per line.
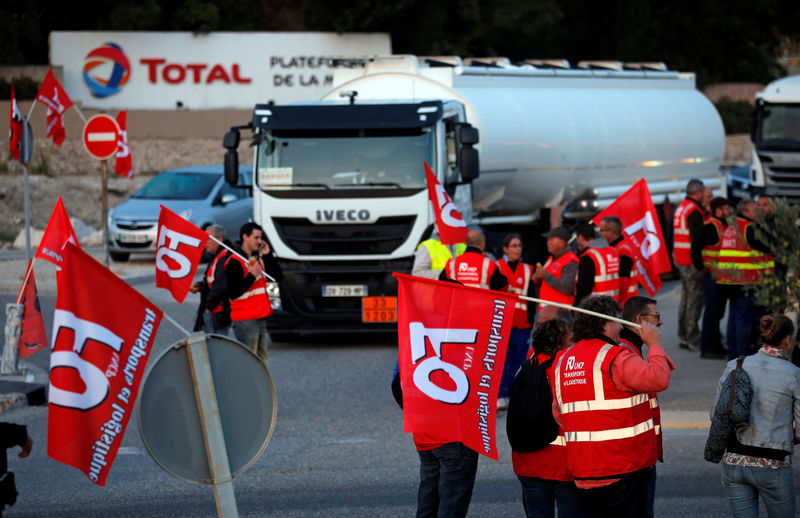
column 705, row 256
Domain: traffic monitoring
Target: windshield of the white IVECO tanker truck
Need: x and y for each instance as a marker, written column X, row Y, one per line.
column 345, row 159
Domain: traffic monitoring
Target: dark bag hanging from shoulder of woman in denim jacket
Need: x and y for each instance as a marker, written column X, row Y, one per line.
column 732, row 409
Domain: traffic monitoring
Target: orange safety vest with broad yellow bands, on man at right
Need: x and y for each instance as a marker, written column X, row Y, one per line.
column 738, row 262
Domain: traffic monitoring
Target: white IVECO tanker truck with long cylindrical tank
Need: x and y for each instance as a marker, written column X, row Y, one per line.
column 339, row 186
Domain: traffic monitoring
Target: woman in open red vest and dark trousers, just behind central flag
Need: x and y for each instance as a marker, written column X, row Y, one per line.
column 519, row 276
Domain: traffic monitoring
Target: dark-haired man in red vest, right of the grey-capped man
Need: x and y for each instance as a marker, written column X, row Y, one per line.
column 598, row 266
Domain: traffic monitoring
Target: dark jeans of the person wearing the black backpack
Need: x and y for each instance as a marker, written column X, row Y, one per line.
column 541, row 496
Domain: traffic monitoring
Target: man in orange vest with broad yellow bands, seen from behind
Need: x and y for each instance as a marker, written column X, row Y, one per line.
column 744, row 261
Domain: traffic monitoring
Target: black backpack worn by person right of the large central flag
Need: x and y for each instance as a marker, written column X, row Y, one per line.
column 529, row 423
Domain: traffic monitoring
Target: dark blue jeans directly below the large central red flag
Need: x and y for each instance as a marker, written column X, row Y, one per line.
column 446, row 478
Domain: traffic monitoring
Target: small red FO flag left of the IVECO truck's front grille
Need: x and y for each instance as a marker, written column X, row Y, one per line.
column 178, row 252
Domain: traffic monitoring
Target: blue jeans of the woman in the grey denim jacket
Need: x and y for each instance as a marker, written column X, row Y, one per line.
column 744, row 485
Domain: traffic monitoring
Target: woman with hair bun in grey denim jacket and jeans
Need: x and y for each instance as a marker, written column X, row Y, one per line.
column 757, row 461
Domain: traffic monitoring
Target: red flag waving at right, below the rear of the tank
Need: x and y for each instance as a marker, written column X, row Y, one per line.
column 641, row 226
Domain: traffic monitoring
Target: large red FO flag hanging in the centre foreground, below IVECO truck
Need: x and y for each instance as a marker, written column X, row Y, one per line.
column 453, row 342
